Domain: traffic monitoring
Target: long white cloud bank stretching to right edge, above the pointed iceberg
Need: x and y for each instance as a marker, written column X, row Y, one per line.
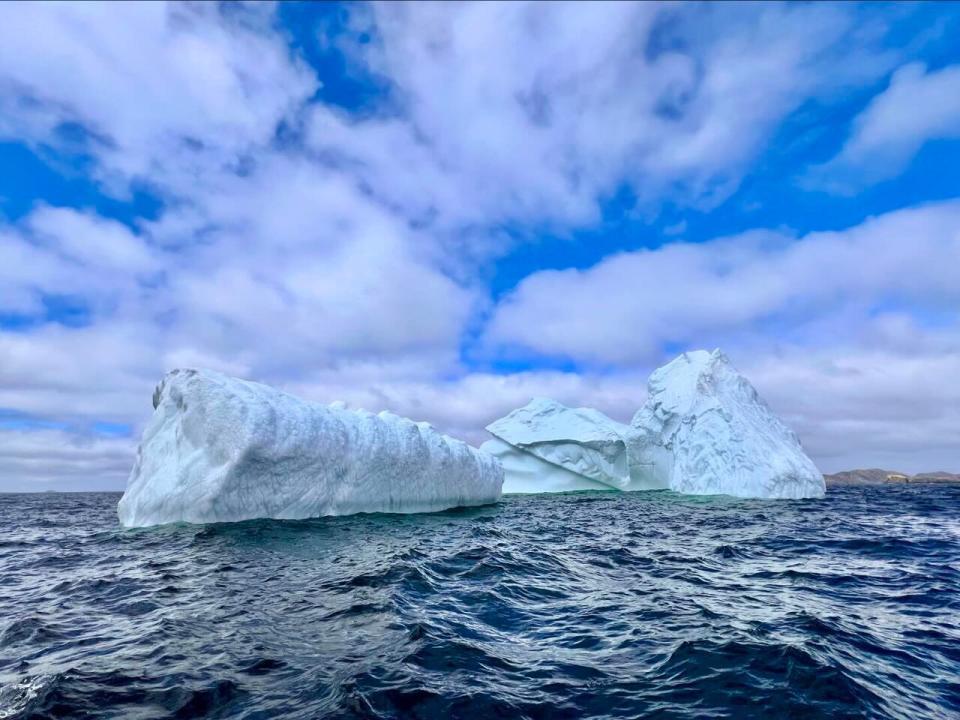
column 629, row 306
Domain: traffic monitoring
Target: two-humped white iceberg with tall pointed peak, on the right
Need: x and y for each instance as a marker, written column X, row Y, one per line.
column 703, row 431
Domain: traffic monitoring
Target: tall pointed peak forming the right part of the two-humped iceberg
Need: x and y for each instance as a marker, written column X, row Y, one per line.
column 704, row 430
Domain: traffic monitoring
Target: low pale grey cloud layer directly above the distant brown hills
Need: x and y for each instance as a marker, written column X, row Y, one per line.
column 862, row 406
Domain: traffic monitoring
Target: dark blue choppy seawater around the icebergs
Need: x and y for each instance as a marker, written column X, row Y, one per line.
column 578, row 605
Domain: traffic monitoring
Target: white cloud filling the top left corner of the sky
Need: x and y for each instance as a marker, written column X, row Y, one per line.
column 157, row 88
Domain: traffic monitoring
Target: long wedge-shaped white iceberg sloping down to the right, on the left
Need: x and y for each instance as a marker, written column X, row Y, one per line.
column 218, row 449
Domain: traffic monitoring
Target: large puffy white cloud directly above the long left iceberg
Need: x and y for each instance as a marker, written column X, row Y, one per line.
column 350, row 287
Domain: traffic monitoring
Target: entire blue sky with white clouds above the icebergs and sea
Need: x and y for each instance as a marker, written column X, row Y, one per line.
column 446, row 209
